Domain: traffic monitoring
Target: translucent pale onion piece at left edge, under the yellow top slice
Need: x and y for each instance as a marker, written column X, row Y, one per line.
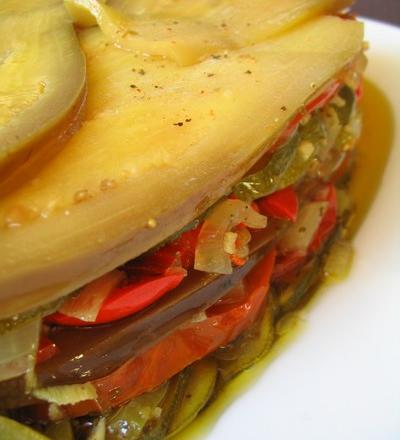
column 18, row 348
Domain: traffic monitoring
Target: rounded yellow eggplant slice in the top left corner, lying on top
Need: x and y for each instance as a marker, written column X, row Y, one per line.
column 38, row 50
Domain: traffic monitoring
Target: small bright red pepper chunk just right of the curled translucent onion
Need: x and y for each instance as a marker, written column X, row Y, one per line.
column 282, row 204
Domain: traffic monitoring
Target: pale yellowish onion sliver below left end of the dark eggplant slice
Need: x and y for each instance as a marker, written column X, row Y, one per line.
column 67, row 394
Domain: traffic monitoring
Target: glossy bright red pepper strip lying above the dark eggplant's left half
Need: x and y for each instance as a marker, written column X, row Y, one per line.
column 124, row 301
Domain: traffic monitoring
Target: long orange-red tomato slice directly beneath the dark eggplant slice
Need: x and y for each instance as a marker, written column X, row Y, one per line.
column 222, row 324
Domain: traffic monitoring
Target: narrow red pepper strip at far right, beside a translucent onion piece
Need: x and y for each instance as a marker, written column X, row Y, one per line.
column 329, row 219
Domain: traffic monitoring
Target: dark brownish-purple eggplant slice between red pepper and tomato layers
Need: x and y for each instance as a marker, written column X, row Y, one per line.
column 87, row 353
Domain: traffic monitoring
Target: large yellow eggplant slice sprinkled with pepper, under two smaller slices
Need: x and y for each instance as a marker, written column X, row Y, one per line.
column 152, row 153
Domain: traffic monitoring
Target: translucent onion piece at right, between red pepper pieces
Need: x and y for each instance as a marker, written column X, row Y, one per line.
column 299, row 235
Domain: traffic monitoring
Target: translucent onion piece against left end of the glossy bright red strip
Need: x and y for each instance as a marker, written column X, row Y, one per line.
column 87, row 303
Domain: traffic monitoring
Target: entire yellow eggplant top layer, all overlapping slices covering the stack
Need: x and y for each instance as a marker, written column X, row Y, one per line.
column 115, row 136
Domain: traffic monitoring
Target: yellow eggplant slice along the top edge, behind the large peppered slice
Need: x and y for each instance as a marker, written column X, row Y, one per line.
column 188, row 33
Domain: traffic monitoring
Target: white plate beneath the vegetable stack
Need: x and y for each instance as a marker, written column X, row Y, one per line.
column 340, row 377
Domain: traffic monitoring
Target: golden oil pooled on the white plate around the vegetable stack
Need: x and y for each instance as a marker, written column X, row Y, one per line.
column 373, row 153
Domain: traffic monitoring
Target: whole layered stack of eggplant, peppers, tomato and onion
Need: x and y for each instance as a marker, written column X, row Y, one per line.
column 165, row 206
